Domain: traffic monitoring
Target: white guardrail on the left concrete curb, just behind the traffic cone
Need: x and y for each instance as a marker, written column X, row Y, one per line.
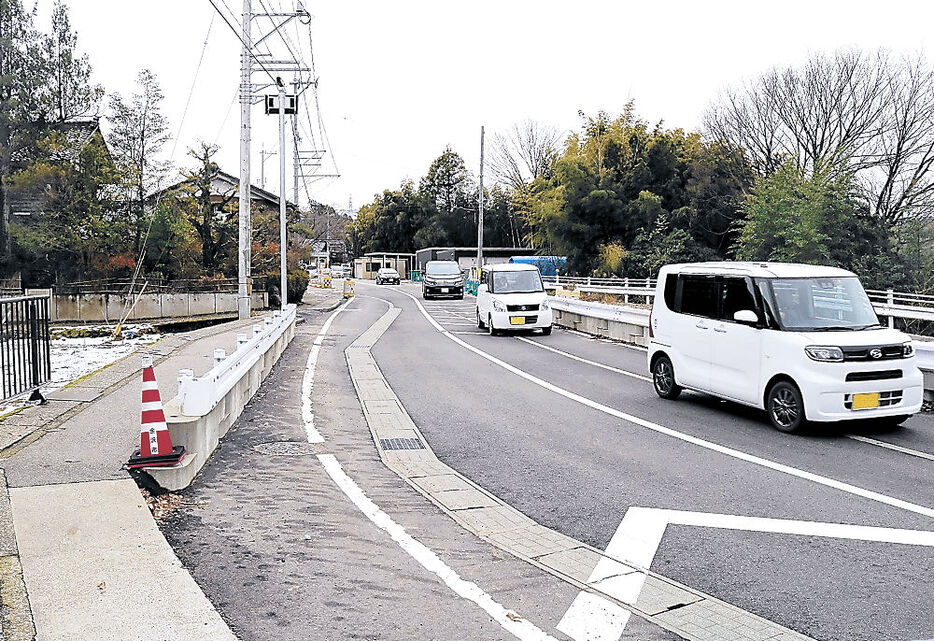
column 198, row 396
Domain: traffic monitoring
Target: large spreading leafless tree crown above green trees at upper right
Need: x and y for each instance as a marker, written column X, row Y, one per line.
column 866, row 114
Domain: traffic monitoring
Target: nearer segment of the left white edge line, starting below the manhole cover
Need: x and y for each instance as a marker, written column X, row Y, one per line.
column 510, row 621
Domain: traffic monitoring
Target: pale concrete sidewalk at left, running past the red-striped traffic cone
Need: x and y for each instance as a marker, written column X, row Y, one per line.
column 74, row 528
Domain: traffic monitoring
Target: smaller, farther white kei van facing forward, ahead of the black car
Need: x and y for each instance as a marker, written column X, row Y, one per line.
column 511, row 296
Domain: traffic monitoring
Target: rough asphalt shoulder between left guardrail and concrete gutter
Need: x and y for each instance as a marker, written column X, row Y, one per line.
column 284, row 555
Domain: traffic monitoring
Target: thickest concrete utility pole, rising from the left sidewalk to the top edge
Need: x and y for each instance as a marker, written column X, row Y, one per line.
column 246, row 96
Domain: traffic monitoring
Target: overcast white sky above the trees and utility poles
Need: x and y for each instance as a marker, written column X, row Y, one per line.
column 401, row 80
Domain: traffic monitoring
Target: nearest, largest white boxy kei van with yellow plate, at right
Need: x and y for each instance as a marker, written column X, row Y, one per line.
column 799, row 341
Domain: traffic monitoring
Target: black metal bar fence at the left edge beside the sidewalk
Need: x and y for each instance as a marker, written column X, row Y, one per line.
column 25, row 361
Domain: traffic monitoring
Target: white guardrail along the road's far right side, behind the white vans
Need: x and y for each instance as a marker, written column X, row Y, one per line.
column 640, row 316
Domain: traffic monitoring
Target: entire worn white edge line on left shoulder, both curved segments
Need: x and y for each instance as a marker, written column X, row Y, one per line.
column 510, row 621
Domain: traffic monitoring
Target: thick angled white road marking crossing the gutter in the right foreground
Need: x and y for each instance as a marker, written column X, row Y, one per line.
column 636, row 542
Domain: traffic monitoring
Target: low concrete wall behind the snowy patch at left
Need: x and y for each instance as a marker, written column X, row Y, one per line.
column 111, row 308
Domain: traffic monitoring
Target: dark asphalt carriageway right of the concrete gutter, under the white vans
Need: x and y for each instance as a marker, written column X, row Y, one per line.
column 578, row 469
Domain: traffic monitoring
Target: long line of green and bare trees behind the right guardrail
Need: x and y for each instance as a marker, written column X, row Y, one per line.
column 828, row 162
